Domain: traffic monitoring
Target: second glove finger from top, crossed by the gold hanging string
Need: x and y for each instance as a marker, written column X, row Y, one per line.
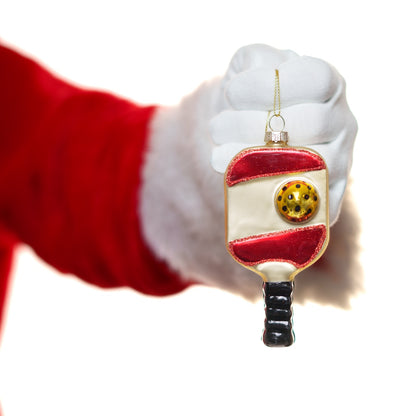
column 302, row 80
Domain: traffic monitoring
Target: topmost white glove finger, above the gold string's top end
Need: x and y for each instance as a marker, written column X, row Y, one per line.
column 257, row 56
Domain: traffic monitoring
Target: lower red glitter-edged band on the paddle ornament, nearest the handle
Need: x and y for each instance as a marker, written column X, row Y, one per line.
column 298, row 246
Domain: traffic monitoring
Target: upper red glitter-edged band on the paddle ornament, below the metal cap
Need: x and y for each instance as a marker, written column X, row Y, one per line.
column 251, row 164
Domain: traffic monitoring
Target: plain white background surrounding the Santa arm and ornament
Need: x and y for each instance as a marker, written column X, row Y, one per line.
column 72, row 349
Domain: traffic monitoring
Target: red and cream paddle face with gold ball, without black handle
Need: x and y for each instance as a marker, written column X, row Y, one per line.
column 277, row 221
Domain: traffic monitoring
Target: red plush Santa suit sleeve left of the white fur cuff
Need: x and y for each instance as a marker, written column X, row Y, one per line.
column 70, row 163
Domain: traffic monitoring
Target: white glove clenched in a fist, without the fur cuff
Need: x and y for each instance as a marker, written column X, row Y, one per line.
column 313, row 104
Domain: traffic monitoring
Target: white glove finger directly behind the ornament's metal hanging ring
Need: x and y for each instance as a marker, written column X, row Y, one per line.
column 306, row 123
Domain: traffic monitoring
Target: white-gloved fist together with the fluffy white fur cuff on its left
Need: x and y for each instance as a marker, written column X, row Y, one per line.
column 182, row 209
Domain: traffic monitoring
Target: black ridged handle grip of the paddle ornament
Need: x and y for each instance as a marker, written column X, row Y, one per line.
column 278, row 308
